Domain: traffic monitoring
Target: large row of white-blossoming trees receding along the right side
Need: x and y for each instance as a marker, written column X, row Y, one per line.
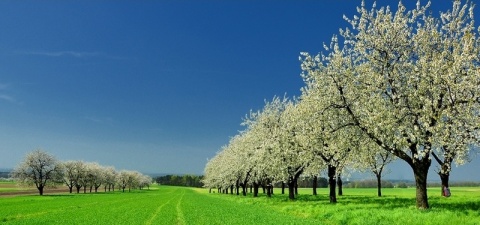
column 401, row 83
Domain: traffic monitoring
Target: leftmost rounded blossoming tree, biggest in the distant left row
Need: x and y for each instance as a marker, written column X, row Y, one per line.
column 39, row 168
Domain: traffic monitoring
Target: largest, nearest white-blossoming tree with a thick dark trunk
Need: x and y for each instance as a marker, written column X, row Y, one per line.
column 404, row 79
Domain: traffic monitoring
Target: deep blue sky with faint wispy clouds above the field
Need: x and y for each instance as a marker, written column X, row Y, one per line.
column 153, row 86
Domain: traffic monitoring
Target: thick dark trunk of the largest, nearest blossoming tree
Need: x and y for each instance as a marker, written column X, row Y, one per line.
column 420, row 171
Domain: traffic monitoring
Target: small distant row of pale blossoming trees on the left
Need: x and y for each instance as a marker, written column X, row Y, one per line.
column 42, row 169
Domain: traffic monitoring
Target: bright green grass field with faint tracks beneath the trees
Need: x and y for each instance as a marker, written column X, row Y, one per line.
column 176, row 205
